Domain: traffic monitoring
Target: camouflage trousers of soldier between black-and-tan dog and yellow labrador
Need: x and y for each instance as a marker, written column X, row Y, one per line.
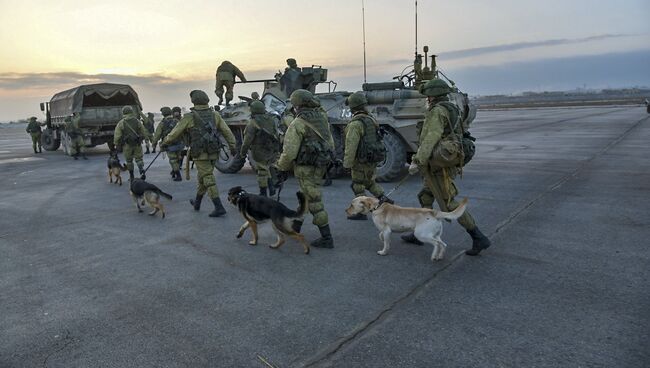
column 310, row 179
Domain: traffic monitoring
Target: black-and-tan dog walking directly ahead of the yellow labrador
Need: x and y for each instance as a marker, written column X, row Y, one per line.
column 258, row 209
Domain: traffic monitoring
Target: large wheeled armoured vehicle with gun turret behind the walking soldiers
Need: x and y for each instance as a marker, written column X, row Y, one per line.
column 397, row 105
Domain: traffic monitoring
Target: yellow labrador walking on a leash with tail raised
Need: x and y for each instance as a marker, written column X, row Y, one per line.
column 425, row 223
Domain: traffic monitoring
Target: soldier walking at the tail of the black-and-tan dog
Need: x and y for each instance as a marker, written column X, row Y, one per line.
column 309, row 149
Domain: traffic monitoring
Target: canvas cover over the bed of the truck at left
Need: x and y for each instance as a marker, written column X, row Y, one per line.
column 93, row 95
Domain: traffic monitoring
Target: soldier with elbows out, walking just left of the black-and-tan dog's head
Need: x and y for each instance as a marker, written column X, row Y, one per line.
column 204, row 127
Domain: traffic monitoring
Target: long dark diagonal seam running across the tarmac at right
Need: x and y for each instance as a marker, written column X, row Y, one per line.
column 325, row 354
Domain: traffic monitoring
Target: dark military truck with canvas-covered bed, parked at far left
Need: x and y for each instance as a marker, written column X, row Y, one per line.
column 100, row 107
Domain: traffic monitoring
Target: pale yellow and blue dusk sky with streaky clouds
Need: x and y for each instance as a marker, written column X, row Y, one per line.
column 165, row 49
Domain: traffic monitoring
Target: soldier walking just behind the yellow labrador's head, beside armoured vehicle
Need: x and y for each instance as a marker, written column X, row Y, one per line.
column 363, row 150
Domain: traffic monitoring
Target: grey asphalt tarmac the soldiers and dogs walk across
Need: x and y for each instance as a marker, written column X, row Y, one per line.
column 87, row 281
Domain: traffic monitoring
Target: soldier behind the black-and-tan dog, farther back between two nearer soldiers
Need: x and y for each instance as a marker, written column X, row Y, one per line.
column 262, row 138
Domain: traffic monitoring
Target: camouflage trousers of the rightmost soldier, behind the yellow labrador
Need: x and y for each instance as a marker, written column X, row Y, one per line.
column 439, row 186
